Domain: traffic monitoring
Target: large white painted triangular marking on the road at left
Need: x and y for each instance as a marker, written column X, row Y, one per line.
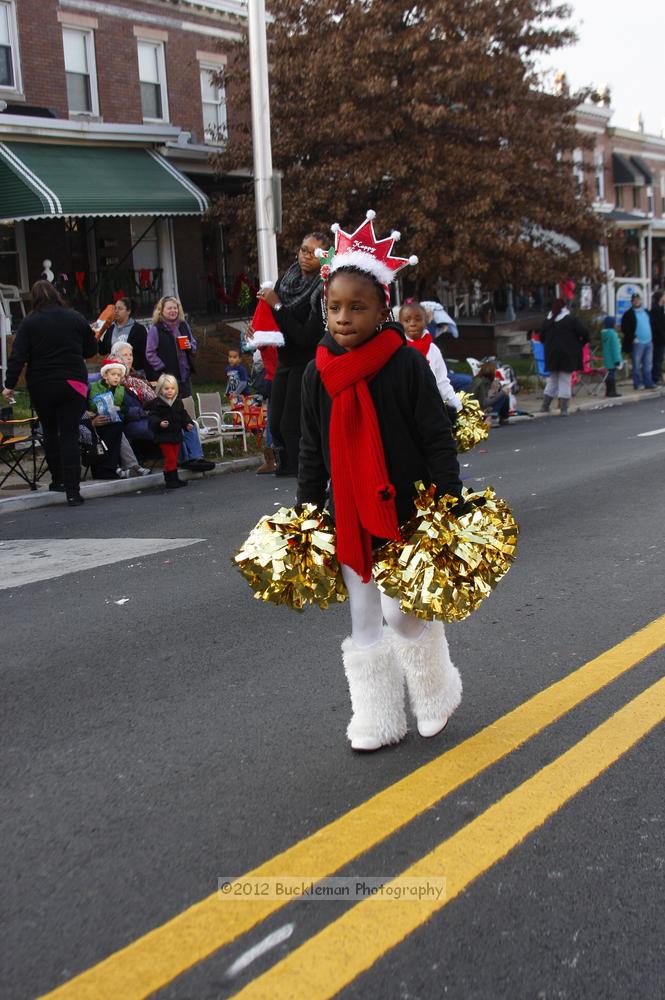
column 28, row 560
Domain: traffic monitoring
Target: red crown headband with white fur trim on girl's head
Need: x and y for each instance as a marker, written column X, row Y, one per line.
column 362, row 250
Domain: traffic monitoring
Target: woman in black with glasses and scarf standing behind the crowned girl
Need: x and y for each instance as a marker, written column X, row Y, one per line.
column 296, row 306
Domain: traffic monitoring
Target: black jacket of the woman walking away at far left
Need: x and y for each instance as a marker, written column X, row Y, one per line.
column 53, row 342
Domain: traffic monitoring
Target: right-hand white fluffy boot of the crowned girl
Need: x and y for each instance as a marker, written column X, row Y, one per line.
column 434, row 683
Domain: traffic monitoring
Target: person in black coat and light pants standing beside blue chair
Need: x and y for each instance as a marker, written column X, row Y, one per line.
column 564, row 337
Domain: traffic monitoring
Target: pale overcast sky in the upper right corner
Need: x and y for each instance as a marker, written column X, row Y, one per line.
column 622, row 44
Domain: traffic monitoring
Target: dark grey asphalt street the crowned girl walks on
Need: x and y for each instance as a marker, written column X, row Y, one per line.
column 161, row 729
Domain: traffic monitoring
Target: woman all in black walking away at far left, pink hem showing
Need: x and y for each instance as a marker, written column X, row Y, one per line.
column 54, row 341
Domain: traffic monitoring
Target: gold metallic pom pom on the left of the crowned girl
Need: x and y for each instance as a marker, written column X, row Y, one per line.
column 289, row 558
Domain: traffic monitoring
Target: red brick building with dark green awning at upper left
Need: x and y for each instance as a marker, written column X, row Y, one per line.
column 108, row 115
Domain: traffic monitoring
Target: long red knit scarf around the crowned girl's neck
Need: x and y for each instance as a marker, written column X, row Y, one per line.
column 364, row 498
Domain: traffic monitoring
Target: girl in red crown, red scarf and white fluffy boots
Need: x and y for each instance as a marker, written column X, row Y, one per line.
column 373, row 424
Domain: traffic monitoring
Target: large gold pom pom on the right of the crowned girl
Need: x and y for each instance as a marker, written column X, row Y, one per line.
column 448, row 562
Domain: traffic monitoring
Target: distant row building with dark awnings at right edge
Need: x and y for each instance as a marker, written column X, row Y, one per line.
column 626, row 171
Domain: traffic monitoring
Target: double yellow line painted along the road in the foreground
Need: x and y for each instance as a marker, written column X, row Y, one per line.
column 350, row 945
